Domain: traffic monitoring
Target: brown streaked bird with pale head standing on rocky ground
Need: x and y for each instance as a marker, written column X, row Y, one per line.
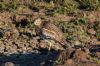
column 49, row 31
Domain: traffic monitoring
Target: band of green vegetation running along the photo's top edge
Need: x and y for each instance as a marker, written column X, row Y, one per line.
column 60, row 6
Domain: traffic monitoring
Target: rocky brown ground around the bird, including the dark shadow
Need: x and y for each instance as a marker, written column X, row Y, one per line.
column 19, row 44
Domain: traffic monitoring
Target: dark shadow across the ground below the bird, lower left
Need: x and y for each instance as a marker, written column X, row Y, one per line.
column 37, row 58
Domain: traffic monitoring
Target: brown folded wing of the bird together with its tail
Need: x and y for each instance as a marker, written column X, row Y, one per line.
column 50, row 30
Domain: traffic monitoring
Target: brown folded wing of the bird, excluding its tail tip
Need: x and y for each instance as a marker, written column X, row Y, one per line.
column 52, row 31
